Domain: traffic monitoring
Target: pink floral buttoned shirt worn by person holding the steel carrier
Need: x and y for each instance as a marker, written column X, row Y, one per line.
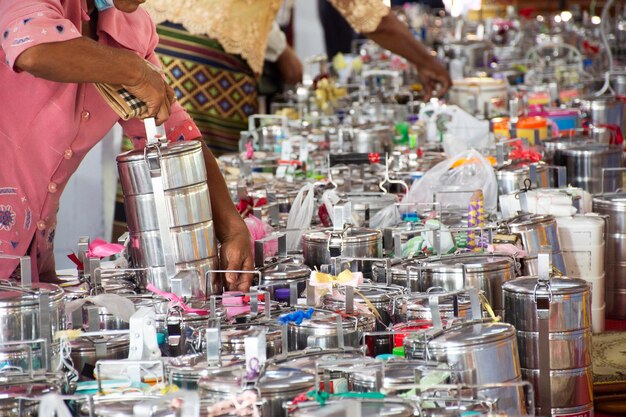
column 46, row 128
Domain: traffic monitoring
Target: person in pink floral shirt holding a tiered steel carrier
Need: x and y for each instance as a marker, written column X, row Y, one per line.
column 52, row 51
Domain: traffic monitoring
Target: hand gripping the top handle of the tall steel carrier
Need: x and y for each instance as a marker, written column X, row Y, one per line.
column 151, row 87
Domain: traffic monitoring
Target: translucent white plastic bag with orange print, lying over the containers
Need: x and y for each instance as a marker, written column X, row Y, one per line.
column 464, row 174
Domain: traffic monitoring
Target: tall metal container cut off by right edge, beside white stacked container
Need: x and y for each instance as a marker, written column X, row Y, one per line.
column 614, row 207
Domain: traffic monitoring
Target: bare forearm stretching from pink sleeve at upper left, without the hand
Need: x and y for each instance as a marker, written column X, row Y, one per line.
column 81, row 60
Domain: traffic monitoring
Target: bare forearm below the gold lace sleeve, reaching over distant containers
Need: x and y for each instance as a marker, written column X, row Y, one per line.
column 395, row 36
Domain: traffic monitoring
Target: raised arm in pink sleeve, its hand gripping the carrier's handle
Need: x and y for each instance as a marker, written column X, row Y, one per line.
column 37, row 38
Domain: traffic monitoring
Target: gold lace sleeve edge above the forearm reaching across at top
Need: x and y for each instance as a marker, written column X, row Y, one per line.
column 363, row 15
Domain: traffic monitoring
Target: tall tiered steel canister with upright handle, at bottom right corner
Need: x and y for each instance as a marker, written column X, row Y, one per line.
column 553, row 322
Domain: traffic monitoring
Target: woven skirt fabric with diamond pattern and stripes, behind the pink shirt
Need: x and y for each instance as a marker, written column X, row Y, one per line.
column 217, row 89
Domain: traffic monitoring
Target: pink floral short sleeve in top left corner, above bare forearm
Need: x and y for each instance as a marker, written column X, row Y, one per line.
column 26, row 23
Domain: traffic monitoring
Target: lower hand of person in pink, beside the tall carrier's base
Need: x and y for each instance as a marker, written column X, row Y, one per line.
column 236, row 254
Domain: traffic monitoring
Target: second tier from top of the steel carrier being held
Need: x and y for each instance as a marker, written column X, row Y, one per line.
column 185, row 206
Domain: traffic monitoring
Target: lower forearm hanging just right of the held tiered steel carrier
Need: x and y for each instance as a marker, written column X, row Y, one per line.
column 226, row 218
